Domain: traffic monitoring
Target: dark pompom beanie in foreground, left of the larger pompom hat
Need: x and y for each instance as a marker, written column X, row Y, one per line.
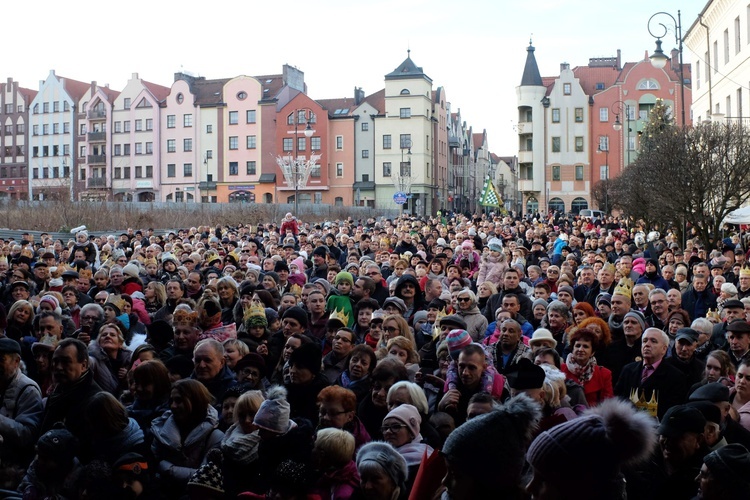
column 500, row 437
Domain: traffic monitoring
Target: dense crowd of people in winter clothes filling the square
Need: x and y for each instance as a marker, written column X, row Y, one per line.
column 451, row 356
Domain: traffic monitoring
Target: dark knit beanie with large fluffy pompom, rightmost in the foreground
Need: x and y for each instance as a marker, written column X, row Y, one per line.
column 593, row 447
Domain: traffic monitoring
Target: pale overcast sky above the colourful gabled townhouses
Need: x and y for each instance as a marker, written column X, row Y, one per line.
column 475, row 49
